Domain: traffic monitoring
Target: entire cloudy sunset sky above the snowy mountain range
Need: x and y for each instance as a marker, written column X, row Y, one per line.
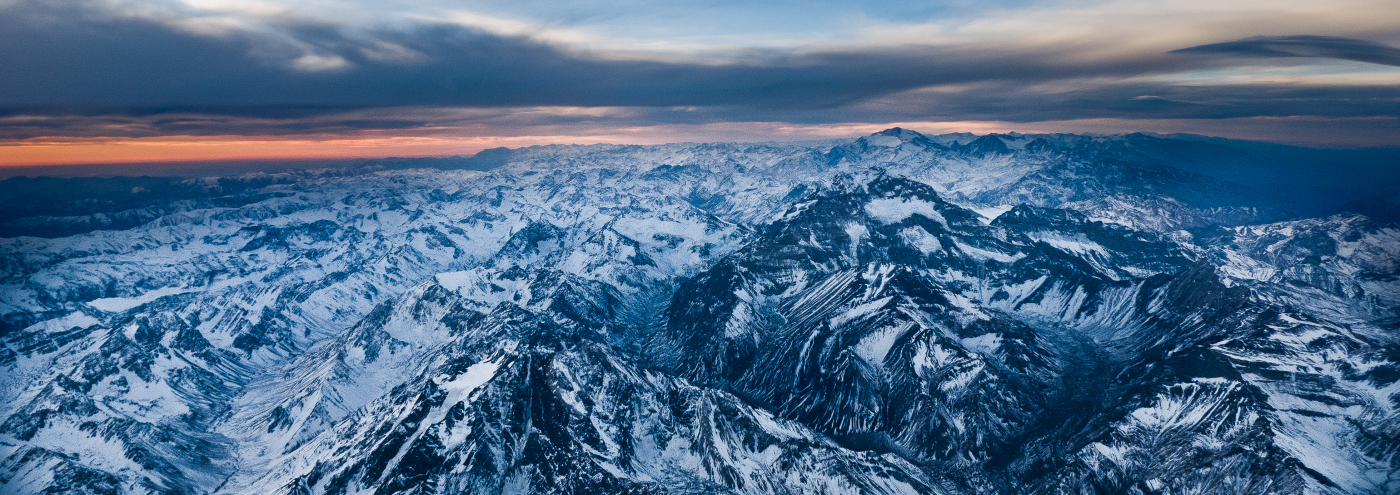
column 86, row 82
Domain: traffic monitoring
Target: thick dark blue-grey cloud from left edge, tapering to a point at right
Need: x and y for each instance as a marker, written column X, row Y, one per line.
column 141, row 65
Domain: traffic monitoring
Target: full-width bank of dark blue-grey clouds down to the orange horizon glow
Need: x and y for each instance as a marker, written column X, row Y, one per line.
column 90, row 73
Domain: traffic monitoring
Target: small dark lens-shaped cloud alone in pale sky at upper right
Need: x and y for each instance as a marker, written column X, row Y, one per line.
column 1304, row 47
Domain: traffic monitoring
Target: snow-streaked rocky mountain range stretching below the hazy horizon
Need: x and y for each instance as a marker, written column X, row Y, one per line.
column 897, row 314
